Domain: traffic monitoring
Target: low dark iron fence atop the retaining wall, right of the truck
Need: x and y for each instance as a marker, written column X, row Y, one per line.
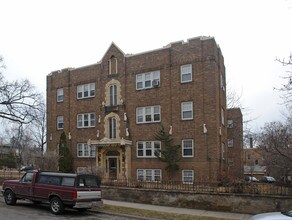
column 205, row 187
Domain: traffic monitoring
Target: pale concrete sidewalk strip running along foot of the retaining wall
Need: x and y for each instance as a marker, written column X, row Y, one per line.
column 195, row 212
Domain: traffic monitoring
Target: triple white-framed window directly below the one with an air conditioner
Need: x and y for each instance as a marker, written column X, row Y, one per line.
column 148, row 114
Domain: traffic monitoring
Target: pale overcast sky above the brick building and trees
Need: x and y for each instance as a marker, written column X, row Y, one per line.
column 38, row 37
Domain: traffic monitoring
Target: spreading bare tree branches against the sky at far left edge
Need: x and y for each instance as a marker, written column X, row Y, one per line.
column 19, row 102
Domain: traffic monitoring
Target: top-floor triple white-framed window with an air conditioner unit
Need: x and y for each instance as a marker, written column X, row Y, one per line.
column 147, row 80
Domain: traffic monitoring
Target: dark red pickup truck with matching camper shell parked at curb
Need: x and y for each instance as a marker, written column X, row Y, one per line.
column 78, row 191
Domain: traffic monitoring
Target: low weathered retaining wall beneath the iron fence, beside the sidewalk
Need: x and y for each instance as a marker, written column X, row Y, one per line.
column 237, row 203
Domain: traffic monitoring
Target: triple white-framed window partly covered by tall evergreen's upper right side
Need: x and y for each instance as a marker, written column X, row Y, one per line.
column 148, row 148
